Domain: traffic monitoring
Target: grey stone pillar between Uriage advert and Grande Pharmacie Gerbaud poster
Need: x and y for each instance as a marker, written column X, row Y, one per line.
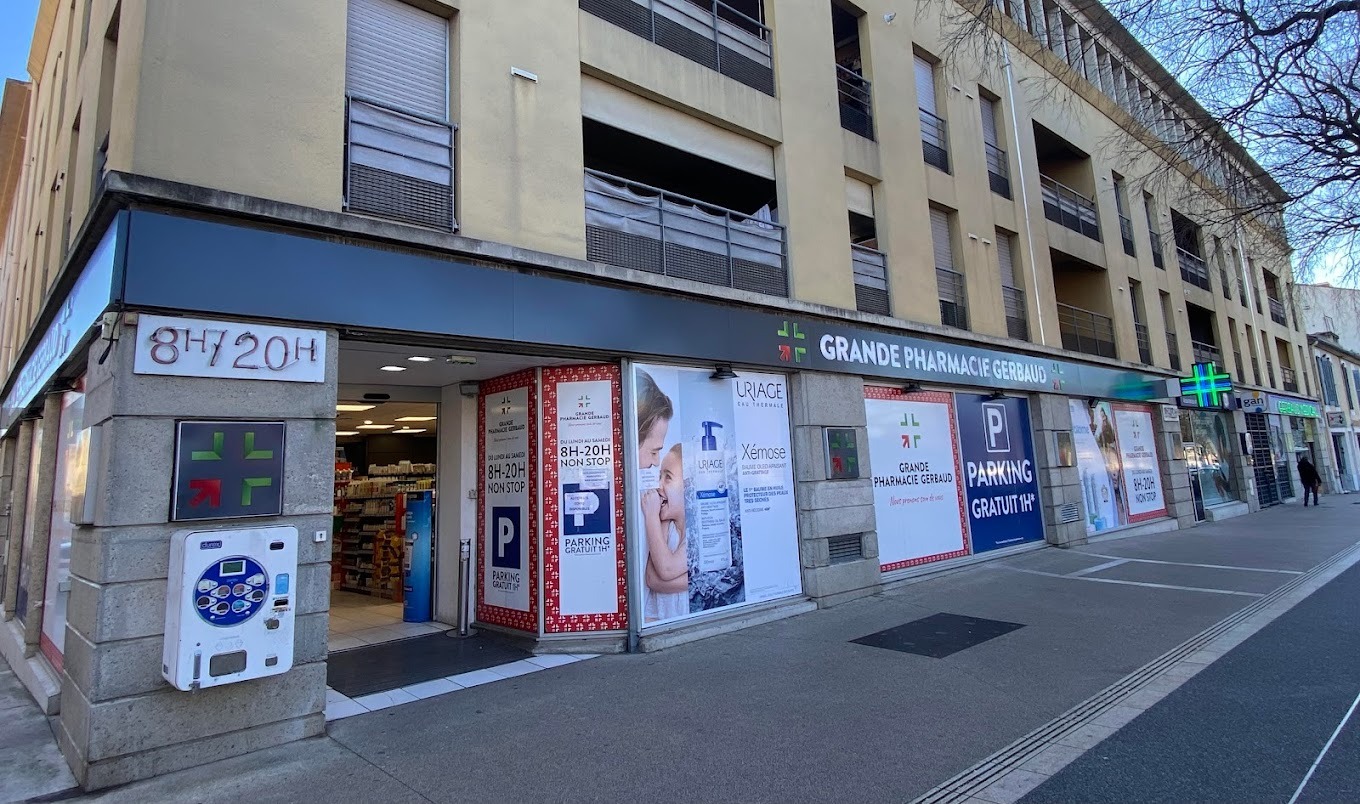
column 833, row 508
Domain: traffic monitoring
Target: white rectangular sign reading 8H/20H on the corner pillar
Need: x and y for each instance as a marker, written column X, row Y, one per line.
column 229, row 350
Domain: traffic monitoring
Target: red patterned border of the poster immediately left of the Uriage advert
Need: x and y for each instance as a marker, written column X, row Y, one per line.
column 556, row 622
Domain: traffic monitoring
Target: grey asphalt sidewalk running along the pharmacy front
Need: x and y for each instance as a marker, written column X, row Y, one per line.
column 796, row 711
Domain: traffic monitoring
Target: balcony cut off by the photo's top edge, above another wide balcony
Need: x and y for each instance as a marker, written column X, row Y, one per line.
column 708, row 32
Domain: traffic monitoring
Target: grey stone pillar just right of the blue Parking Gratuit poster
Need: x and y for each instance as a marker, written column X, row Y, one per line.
column 1060, row 486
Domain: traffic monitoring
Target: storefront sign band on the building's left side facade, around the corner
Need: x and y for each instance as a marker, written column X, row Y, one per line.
column 75, row 318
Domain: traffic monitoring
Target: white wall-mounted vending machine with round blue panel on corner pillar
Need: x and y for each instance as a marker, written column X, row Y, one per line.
column 231, row 606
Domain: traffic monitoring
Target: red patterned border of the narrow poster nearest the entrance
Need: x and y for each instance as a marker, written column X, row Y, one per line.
column 524, row 621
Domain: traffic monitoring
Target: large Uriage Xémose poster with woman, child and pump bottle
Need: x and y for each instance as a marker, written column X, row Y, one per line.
column 715, row 492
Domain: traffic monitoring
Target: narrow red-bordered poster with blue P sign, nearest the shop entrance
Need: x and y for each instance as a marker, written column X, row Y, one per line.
column 508, row 549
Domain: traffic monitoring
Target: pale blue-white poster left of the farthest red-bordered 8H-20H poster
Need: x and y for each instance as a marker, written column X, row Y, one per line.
column 1098, row 462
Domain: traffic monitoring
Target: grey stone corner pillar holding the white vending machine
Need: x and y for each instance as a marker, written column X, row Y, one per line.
column 120, row 720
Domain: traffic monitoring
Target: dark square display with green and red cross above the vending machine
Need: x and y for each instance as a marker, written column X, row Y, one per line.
column 228, row 470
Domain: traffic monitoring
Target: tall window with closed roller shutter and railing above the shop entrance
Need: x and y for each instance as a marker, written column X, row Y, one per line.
column 399, row 138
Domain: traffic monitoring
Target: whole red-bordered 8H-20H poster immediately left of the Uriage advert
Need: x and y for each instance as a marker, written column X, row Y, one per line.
column 585, row 584
